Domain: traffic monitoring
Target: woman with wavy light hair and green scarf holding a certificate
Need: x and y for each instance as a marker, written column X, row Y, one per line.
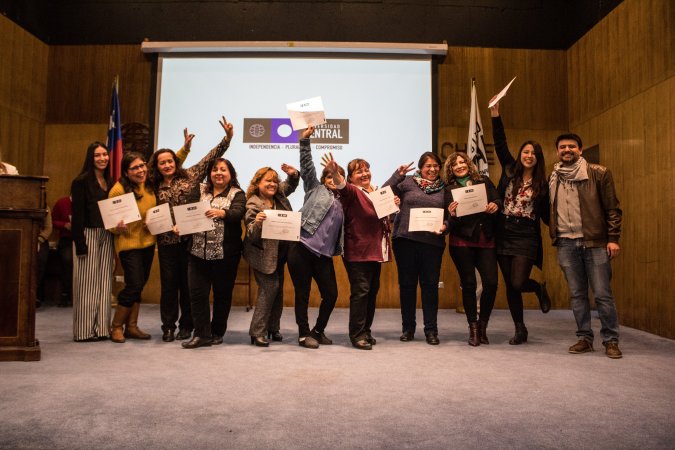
column 472, row 244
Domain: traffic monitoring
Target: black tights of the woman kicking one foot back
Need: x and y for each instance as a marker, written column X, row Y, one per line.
column 516, row 271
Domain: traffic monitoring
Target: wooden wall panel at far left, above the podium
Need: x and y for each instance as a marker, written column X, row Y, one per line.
column 23, row 89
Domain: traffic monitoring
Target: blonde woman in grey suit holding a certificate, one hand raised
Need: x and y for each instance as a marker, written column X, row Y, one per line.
column 267, row 257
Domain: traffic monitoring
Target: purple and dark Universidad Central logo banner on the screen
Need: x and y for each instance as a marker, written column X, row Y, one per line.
column 279, row 131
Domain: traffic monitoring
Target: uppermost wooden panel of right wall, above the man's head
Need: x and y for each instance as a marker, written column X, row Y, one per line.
column 628, row 52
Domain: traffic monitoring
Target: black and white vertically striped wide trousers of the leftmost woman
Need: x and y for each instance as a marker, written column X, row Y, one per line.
column 92, row 286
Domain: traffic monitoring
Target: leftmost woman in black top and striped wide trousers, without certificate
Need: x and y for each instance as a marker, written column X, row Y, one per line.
column 93, row 264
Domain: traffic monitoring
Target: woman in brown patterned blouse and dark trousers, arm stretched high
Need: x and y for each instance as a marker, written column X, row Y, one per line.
column 174, row 185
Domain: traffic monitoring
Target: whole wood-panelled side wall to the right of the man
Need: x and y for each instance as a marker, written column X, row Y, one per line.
column 622, row 97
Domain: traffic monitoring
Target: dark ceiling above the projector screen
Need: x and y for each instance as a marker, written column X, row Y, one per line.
column 531, row 24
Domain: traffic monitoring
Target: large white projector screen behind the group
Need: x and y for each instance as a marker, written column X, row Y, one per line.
column 378, row 109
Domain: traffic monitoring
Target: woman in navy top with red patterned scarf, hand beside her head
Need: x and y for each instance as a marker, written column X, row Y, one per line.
column 418, row 253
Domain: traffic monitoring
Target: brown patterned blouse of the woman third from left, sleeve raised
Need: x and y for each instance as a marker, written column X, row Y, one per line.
column 182, row 190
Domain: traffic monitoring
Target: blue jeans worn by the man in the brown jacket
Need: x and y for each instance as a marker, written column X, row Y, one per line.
column 584, row 267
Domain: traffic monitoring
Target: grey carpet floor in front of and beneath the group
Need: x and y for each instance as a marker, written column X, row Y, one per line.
column 156, row 395
